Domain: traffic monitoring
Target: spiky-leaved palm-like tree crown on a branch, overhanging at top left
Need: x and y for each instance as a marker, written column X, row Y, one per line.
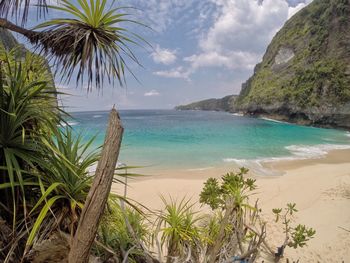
column 93, row 40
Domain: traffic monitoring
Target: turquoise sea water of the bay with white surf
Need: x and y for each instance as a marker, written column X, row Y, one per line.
column 197, row 139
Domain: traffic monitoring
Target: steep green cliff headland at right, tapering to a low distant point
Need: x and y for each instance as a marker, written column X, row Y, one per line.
column 304, row 76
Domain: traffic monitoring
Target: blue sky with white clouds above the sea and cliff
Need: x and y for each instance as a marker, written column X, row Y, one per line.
column 200, row 49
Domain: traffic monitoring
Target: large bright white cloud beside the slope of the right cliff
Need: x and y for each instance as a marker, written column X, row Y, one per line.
column 240, row 33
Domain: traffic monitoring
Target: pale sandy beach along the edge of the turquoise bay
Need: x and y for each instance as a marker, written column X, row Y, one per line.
column 319, row 187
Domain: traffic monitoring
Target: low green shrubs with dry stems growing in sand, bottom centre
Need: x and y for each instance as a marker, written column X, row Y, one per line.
column 234, row 231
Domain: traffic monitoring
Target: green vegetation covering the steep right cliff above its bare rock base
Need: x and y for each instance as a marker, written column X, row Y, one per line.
column 316, row 77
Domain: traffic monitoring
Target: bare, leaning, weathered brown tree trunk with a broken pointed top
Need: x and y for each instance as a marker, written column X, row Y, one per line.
column 98, row 194
